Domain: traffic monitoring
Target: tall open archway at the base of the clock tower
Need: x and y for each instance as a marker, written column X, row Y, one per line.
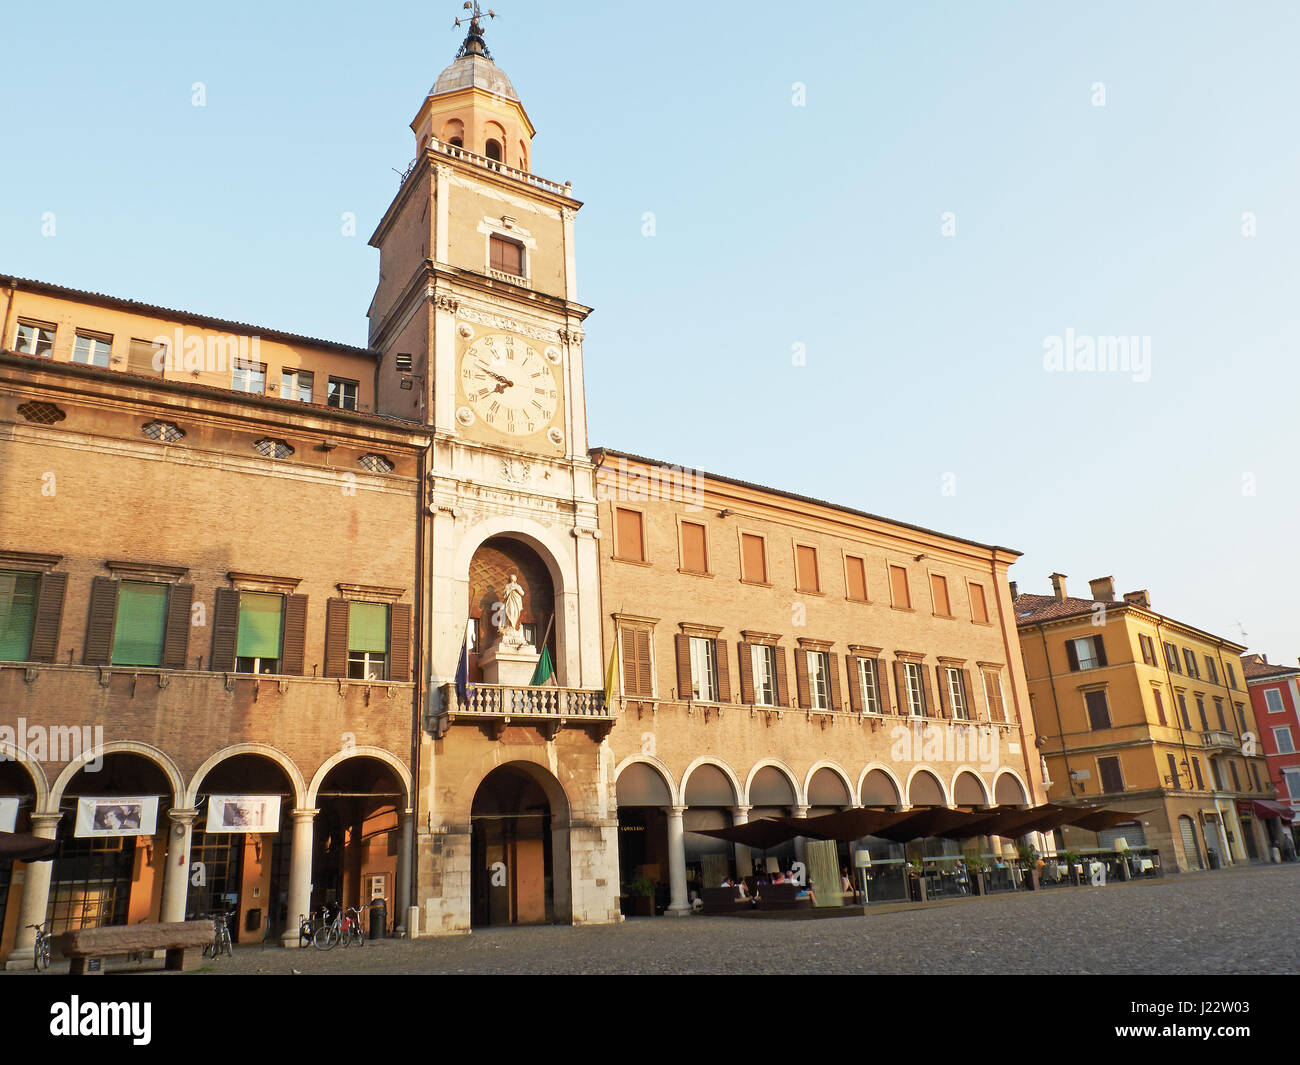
column 519, row 854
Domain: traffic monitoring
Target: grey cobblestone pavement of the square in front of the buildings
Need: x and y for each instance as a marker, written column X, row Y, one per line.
column 1233, row 921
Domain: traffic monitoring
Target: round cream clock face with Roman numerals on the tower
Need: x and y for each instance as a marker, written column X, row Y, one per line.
column 509, row 384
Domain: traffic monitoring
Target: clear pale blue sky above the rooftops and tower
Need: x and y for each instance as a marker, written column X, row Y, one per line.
column 775, row 226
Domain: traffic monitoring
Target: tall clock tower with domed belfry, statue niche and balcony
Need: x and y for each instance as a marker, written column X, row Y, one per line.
column 480, row 337
